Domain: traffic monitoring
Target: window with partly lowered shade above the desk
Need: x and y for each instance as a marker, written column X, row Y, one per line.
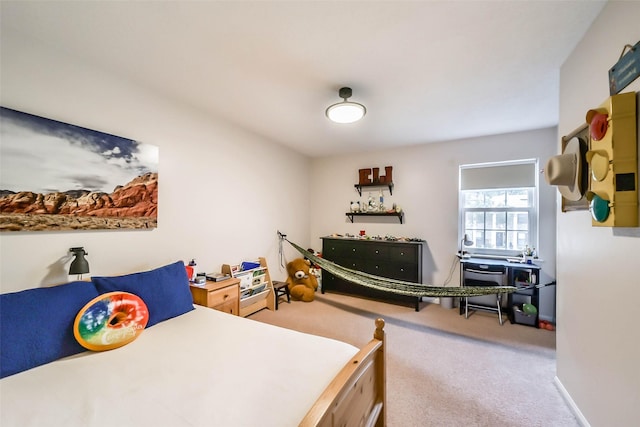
column 499, row 207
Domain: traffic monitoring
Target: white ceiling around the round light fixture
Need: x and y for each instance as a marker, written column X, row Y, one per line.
column 427, row 71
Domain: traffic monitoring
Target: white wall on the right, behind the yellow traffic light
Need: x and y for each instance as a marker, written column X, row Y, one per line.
column 598, row 340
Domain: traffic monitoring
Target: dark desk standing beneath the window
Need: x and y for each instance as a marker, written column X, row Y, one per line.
column 493, row 272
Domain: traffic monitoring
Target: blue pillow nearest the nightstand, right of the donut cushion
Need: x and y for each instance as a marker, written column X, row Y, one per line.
column 164, row 290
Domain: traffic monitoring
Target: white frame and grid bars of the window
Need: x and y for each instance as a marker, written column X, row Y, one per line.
column 500, row 184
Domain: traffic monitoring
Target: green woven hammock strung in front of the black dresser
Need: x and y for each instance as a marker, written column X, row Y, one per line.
column 397, row 286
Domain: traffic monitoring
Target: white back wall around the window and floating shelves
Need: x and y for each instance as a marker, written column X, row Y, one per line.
column 426, row 186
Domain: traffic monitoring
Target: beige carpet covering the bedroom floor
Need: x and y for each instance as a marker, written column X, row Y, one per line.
column 443, row 369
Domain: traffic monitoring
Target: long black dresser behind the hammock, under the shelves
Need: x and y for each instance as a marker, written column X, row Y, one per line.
column 392, row 259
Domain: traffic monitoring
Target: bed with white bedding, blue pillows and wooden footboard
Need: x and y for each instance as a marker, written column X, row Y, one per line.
column 200, row 367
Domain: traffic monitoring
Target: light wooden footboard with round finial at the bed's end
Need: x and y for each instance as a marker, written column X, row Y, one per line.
column 357, row 395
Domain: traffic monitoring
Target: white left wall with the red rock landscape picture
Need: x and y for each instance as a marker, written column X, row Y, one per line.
column 223, row 193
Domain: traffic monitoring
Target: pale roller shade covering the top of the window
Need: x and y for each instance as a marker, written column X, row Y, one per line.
column 498, row 176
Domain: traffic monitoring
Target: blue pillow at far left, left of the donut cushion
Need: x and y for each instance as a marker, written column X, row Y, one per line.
column 36, row 325
